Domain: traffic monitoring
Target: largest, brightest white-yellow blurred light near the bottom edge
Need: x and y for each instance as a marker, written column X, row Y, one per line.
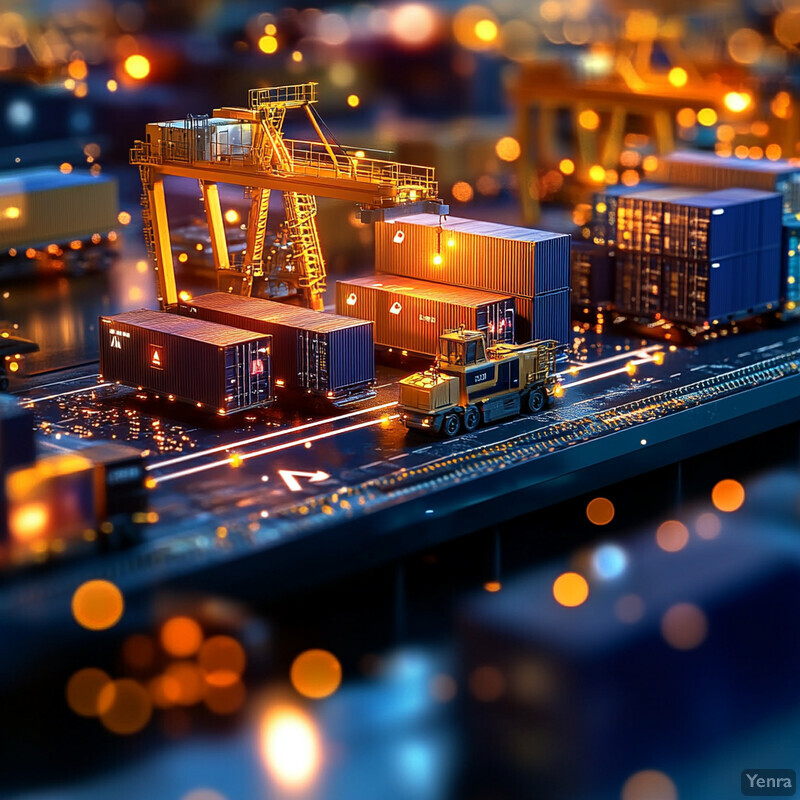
column 290, row 746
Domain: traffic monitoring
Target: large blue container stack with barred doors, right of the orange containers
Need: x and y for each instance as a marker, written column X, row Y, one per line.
column 697, row 258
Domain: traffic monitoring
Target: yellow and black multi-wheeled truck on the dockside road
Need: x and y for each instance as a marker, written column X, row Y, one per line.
column 471, row 385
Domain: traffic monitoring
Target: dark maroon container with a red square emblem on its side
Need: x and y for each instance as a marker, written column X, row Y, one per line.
column 212, row 366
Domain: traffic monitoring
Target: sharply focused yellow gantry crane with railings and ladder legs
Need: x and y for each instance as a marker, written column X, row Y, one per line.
column 246, row 147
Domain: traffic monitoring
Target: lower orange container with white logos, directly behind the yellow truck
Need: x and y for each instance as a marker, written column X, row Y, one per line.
column 409, row 314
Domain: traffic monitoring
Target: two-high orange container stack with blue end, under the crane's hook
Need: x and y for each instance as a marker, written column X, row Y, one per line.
column 531, row 266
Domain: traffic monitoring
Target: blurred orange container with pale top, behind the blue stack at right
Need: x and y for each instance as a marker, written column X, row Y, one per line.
column 709, row 171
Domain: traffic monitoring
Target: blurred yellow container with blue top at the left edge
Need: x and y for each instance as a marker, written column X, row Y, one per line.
column 55, row 214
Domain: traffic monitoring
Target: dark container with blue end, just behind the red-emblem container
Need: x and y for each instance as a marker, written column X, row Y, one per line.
column 324, row 354
